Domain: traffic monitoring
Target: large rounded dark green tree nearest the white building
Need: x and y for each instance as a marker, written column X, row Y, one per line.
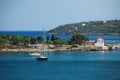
column 78, row 39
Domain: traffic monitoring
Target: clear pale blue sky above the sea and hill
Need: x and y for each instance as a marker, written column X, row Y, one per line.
column 33, row 15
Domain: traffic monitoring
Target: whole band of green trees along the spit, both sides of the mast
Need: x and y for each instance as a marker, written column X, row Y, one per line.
column 16, row 41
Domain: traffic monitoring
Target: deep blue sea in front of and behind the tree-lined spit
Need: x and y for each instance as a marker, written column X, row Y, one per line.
column 65, row 65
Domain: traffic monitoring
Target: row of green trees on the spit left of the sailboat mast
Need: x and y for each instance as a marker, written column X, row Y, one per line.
column 16, row 41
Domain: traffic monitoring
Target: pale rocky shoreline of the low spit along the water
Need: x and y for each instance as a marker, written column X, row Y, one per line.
column 63, row 48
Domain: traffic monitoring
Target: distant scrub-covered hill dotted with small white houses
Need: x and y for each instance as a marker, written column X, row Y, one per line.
column 111, row 27
